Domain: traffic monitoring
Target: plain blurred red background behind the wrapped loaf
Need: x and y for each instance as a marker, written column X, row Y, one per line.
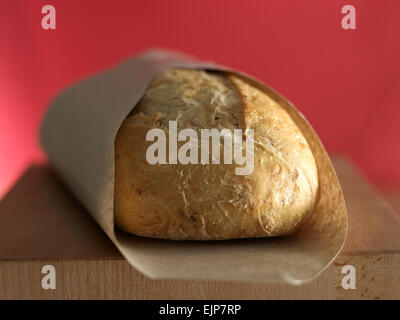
column 346, row 82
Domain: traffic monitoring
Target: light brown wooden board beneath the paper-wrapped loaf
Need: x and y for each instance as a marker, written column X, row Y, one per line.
column 41, row 224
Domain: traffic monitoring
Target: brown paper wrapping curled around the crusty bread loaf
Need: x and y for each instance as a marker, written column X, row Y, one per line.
column 78, row 135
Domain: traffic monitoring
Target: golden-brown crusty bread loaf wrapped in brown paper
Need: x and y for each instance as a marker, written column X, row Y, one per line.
column 205, row 202
